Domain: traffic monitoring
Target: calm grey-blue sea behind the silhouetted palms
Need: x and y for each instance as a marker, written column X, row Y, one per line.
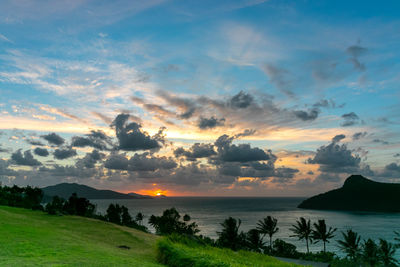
column 209, row 212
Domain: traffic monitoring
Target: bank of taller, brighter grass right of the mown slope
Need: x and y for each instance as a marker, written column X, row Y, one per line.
column 176, row 254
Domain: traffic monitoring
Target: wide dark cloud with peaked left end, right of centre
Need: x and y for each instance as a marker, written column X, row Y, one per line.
column 229, row 152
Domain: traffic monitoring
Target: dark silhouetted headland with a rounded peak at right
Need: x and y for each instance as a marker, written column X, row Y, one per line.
column 358, row 194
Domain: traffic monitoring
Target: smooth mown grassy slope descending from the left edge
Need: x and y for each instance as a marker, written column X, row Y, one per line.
column 32, row 238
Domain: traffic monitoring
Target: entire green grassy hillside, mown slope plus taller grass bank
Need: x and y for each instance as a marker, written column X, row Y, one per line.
column 34, row 238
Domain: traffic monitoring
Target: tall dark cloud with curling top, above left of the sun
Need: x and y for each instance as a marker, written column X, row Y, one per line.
column 132, row 138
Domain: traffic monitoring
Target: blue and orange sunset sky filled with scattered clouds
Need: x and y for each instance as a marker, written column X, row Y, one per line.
column 199, row 98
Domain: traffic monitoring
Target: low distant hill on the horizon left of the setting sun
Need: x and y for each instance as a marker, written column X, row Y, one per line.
column 65, row 190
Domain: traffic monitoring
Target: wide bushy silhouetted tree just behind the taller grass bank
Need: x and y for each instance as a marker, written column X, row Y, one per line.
column 170, row 223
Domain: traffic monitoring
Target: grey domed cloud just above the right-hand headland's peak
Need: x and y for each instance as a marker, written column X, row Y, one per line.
column 335, row 158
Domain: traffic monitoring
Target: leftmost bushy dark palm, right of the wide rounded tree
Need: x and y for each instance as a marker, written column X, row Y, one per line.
column 229, row 236
